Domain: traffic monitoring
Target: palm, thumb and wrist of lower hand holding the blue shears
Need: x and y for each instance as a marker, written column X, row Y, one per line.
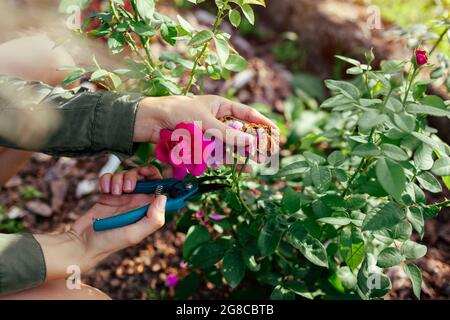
column 84, row 248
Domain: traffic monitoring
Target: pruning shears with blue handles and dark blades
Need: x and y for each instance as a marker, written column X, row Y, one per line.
column 178, row 193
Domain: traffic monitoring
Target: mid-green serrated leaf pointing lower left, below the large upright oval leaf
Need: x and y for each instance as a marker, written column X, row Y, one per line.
column 387, row 216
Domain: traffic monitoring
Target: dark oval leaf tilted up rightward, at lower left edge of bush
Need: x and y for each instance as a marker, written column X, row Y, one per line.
column 209, row 253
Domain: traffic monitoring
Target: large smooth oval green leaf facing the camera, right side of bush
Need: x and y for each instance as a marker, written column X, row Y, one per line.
column 391, row 177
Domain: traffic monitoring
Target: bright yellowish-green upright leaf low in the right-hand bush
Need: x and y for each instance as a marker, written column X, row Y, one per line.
column 351, row 246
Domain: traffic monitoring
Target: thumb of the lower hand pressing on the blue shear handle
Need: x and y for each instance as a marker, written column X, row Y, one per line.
column 153, row 221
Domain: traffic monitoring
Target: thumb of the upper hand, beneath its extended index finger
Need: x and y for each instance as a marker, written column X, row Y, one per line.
column 230, row 136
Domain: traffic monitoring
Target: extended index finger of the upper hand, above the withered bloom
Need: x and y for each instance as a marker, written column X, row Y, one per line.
column 243, row 112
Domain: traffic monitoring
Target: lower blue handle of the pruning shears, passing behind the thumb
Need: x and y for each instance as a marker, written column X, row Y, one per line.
column 133, row 216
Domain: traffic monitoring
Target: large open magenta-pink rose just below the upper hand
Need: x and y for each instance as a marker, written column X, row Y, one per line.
column 183, row 149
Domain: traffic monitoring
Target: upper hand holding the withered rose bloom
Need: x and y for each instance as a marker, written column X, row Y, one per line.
column 159, row 113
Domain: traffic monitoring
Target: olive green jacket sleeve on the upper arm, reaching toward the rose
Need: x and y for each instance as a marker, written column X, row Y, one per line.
column 37, row 117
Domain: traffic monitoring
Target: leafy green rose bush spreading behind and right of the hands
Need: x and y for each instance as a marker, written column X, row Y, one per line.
column 348, row 198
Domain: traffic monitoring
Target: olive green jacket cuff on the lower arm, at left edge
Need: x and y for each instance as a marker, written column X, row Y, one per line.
column 22, row 264
